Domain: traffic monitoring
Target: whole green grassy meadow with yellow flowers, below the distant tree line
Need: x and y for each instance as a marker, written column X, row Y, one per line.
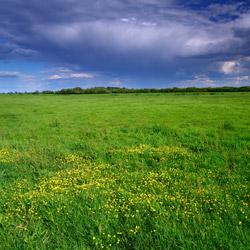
column 125, row 171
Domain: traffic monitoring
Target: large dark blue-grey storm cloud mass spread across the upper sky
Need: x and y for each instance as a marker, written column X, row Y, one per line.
column 165, row 38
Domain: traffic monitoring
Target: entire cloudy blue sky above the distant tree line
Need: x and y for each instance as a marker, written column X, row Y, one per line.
column 50, row 45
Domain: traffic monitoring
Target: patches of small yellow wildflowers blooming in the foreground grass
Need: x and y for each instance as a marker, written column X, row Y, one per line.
column 123, row 194
